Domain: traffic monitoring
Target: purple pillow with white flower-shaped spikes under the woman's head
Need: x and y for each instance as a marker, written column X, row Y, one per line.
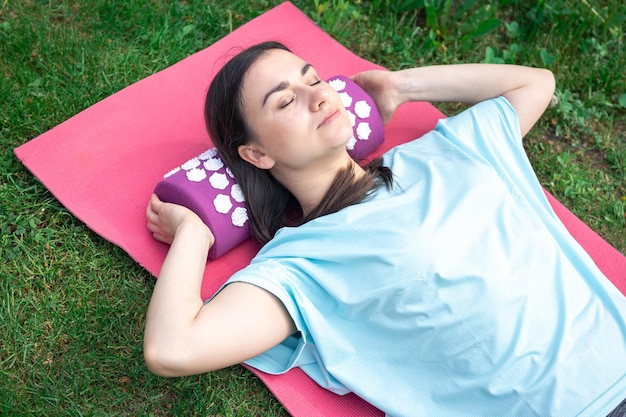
column 207, row 187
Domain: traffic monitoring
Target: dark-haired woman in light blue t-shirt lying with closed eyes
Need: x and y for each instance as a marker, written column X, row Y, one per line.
column 436, row 281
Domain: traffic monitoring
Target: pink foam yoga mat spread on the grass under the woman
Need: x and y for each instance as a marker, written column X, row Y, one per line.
column 103, row 164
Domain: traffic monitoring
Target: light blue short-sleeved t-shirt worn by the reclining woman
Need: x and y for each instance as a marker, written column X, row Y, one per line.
column 457, row 292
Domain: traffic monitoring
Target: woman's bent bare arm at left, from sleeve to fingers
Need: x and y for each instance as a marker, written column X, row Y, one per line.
column 184, row 336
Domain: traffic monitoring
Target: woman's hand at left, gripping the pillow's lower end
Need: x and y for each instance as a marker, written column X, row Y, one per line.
column 165, row 219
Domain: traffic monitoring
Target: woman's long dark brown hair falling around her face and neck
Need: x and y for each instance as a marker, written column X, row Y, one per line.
column 267, row 200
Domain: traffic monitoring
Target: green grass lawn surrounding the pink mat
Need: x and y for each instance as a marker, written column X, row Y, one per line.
column 72, row 305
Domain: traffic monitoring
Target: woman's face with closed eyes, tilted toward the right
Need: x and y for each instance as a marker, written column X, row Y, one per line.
column 297, row 119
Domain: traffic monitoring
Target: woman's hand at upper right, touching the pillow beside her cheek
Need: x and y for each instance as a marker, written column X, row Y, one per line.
column 379, row 85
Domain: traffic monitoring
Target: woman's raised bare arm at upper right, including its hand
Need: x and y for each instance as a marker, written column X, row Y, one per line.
column 529, row 90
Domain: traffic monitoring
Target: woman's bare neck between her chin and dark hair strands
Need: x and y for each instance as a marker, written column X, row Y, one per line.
column 310, row 185
